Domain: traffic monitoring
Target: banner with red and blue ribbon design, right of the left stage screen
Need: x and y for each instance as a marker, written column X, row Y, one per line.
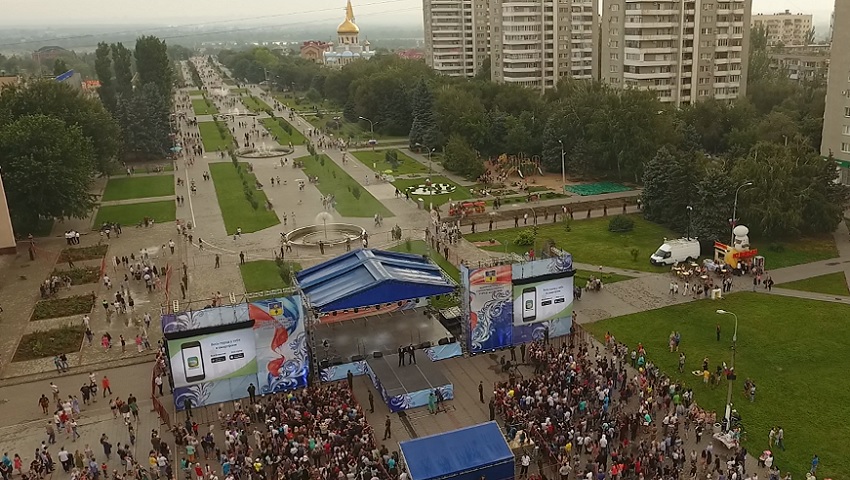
column 282, row 355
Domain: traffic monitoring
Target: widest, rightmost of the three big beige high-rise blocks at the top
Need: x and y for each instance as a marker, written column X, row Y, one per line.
column 685, row 51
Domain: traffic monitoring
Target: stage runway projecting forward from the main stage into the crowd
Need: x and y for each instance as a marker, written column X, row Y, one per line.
column 409, row 386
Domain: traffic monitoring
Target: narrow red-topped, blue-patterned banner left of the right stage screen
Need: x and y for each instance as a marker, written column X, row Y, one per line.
column 490, row 308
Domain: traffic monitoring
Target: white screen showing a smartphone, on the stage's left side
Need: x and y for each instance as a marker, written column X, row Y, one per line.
column 213, row 368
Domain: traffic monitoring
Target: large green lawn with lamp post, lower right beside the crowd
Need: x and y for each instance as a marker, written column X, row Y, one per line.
column 792, row 348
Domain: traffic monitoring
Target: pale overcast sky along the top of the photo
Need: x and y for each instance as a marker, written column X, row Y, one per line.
column 284, row 12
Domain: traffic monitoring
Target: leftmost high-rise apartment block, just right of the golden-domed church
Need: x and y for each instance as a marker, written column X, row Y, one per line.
column 457, row 35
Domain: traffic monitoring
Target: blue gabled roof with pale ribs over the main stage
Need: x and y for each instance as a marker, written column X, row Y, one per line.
column 362, row 278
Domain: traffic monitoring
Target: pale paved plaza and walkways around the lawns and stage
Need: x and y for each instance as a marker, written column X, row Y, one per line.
column 22, row 424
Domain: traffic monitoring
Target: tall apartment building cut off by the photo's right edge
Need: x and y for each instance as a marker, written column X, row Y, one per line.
column 836, row 118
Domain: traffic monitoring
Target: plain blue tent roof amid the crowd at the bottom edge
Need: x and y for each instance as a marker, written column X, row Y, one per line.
column 465, row 454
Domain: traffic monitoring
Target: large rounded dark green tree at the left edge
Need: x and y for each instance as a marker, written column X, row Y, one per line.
column 47, row 169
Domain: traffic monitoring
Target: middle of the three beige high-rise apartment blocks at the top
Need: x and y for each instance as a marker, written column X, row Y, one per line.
column 535, row 43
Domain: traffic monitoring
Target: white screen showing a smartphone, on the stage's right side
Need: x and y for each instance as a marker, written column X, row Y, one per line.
column 542, row 298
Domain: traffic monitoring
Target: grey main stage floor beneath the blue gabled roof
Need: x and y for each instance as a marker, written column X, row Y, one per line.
column 377, row 333
